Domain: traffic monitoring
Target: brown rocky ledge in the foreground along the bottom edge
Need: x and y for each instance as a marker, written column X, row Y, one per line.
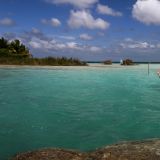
column 137, row 150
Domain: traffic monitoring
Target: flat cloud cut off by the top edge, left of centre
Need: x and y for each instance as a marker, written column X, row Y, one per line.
column 76, row 3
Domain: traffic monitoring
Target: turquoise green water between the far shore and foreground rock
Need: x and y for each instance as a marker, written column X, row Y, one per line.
column 81, row 108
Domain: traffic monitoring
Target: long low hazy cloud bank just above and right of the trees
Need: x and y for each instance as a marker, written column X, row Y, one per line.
column 38, row 42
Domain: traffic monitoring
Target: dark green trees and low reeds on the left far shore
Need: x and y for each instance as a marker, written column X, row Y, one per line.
column 16, row 53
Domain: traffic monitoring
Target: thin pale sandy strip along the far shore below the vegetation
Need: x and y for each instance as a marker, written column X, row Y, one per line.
column 90, row 66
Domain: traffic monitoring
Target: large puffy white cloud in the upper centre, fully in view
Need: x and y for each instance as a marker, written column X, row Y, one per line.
column 83, row 18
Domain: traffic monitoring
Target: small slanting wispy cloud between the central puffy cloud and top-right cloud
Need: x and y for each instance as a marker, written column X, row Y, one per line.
column 104, row 9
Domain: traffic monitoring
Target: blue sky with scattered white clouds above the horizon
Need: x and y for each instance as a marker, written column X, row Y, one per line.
column 90, row 30
